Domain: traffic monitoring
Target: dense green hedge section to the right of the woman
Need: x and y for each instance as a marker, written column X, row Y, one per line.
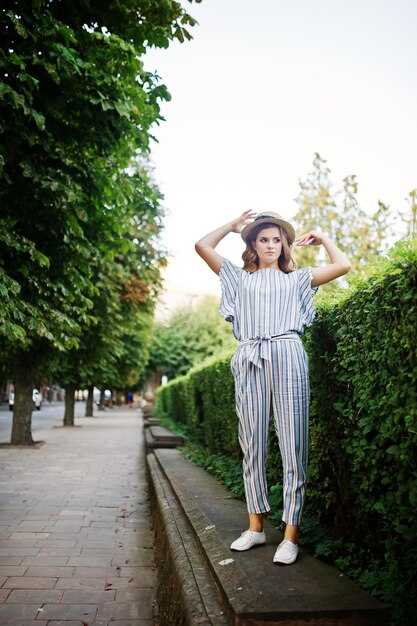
column 365, row 420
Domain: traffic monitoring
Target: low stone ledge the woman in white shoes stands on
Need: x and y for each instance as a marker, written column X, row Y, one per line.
column 252, row 590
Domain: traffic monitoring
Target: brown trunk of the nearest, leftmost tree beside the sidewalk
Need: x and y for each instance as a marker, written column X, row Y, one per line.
column 22, row 409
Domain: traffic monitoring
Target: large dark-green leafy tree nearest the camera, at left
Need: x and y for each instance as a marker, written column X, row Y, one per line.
column 76, row 109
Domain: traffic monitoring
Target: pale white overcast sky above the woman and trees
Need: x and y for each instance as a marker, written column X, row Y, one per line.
column 259, row 90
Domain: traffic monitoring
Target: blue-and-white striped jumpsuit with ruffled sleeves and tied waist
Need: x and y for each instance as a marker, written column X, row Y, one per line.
column 269, row 310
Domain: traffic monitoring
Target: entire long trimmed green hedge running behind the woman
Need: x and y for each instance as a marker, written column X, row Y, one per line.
column 362, row 480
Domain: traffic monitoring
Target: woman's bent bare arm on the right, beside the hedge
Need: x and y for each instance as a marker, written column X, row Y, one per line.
column 339, row 263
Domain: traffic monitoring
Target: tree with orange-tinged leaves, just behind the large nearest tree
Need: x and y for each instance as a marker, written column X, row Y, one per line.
column 112, row 352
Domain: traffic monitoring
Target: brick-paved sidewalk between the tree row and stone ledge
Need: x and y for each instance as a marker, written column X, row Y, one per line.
column 76, row 546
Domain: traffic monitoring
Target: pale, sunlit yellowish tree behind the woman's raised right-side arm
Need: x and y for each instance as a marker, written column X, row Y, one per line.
column 361, row 235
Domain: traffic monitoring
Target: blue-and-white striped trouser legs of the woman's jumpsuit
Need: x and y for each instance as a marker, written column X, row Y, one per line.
column 281, row 389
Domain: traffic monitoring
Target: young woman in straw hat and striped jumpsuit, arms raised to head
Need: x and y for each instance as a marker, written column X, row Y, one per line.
column 269, row 302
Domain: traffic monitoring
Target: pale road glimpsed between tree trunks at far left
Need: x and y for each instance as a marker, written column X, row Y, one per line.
column 50, row 415
